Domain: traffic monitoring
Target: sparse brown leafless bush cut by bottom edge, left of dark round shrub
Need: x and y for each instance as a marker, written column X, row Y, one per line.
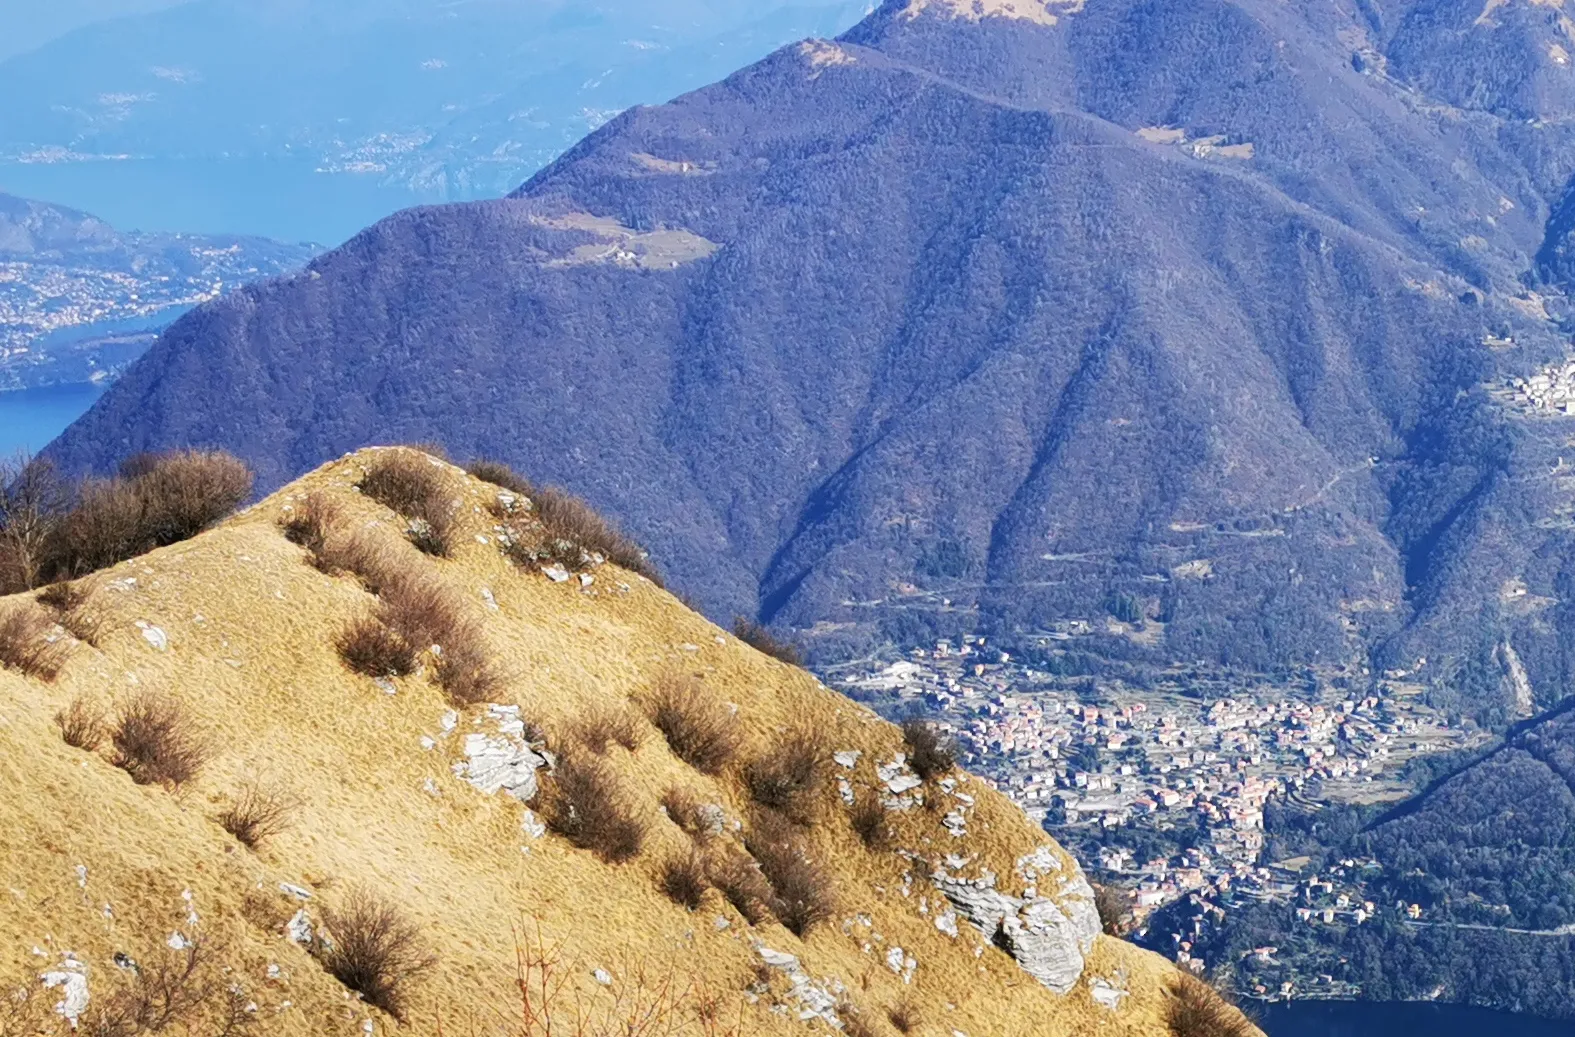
column 172, row 991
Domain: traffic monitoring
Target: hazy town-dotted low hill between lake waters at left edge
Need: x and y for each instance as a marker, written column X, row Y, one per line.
column 78, row 299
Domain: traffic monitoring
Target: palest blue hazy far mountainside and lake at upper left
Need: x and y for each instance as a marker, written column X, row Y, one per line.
column 309, row 119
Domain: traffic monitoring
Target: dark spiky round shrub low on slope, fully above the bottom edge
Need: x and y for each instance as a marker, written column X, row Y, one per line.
column 376, row 951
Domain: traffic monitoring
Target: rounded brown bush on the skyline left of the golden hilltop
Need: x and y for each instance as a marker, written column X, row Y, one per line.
column 185, row 492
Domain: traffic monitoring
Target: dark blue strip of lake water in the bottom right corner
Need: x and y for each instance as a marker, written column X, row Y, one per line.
column 1357, row 1019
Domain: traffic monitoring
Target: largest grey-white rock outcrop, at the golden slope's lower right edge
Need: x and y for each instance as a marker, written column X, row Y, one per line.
column 1050, row 937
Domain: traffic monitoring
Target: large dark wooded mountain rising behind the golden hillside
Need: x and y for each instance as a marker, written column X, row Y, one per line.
column 1147, row 330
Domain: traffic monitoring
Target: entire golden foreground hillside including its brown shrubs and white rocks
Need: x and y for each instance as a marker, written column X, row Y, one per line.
column 215, row 820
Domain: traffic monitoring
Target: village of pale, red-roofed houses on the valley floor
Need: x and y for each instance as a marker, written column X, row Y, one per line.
column 1163, row 789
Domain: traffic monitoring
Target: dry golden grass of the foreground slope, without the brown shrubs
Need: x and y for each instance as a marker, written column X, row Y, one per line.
column 240, row 630
